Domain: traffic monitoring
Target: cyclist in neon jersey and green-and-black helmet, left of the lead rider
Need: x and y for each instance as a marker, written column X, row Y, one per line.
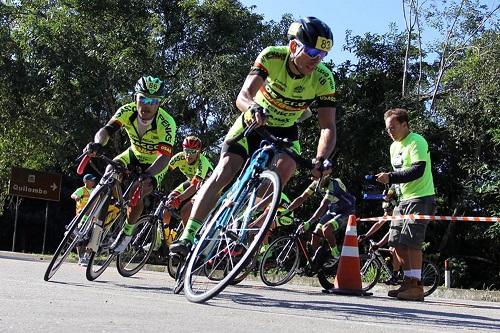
column 151, row 131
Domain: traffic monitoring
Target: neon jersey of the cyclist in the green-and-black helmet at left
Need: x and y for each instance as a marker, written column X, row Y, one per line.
column 159, row 137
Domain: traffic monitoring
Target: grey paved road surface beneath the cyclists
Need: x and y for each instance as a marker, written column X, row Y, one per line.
column 145, row 303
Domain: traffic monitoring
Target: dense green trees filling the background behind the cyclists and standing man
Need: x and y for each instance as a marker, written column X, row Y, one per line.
column 67, row 65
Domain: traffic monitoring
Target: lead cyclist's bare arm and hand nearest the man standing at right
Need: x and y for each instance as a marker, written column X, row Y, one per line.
column 328, row 135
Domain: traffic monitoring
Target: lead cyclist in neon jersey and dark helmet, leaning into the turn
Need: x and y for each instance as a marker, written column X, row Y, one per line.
column 282, row 83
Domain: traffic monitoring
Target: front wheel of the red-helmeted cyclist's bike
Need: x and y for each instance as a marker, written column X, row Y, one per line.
column 135, row 256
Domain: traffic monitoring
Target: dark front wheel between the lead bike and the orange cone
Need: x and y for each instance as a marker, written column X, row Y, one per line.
column 283, row 255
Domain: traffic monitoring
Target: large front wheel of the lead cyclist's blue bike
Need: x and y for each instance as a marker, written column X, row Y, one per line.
column 228, row 239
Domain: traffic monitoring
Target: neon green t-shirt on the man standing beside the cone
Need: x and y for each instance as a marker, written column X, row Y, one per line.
column 404, row 153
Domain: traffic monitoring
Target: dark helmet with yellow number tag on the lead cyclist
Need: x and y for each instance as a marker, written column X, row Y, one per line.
column 312, row 32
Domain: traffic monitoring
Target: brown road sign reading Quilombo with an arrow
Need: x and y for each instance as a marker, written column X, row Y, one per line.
column 35, row 184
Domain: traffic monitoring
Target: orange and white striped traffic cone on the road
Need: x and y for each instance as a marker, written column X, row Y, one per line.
column 348, row 279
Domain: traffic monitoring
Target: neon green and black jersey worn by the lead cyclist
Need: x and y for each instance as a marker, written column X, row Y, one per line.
column 286, row 96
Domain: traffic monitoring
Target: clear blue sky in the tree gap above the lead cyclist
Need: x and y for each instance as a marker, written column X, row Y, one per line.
column 360, row 16
